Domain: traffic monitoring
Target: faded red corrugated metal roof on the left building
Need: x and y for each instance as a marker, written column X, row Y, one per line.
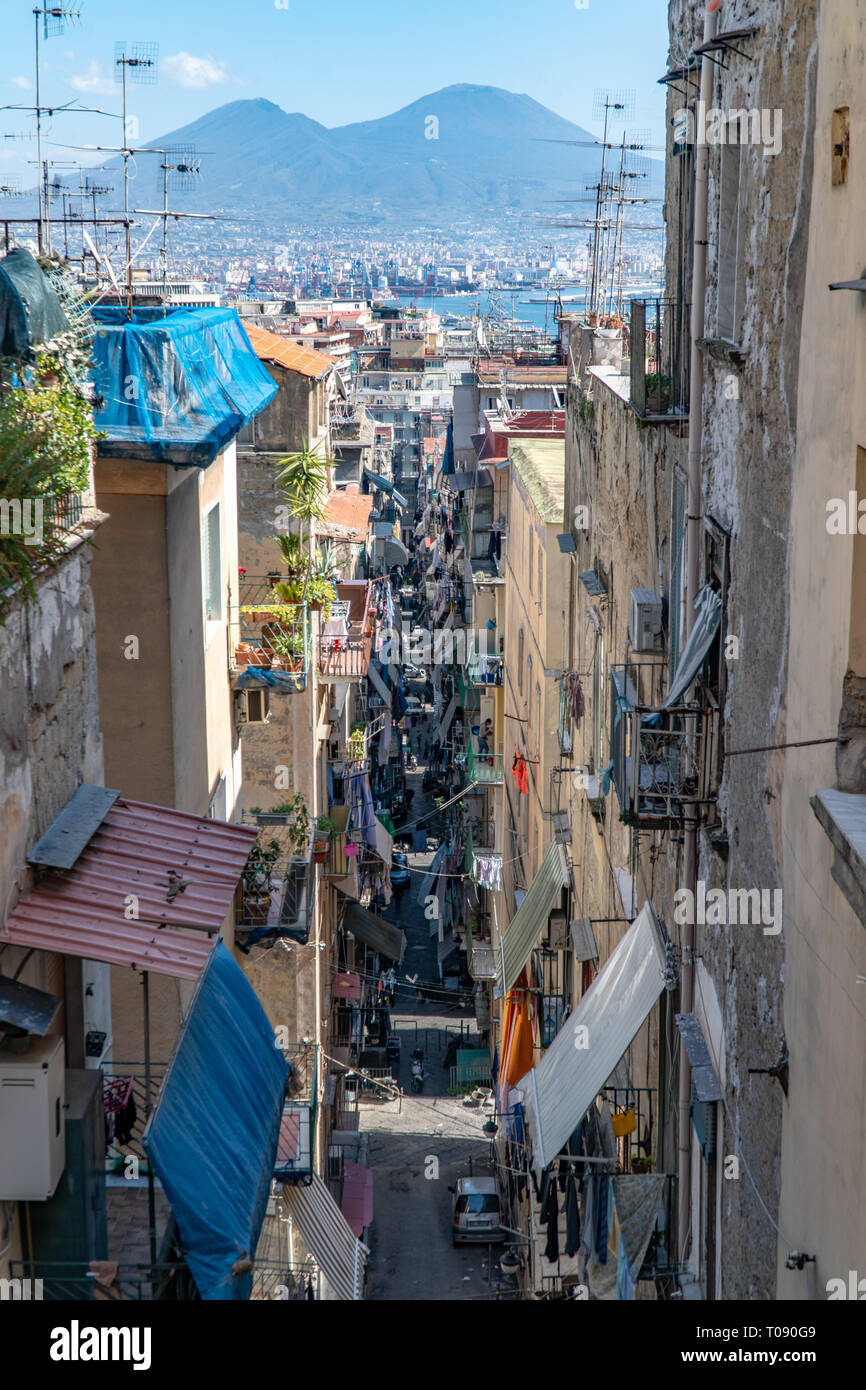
column 173, row 869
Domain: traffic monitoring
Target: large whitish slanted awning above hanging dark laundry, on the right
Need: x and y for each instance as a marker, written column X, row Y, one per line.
column 587, row 1049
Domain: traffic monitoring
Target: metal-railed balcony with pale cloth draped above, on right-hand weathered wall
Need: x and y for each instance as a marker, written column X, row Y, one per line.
column 662, row 760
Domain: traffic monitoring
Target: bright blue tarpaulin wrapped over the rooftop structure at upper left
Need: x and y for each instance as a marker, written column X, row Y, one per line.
column 174, row 387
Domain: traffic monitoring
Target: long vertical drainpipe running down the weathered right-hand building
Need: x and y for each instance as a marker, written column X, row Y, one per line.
column 693, row 569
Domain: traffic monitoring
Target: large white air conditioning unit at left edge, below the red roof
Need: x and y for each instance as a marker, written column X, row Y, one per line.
column 33, row 1120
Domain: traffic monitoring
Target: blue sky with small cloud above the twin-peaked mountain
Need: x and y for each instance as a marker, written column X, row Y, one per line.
column 334, row 60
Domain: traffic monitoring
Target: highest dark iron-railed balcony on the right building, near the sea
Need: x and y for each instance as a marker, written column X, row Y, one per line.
column 660, row 361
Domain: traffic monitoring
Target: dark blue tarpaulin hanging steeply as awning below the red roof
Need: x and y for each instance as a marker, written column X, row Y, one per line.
column 213, row 1134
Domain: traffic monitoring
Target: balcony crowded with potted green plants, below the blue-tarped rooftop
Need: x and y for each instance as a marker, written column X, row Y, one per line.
column 273, row 637
